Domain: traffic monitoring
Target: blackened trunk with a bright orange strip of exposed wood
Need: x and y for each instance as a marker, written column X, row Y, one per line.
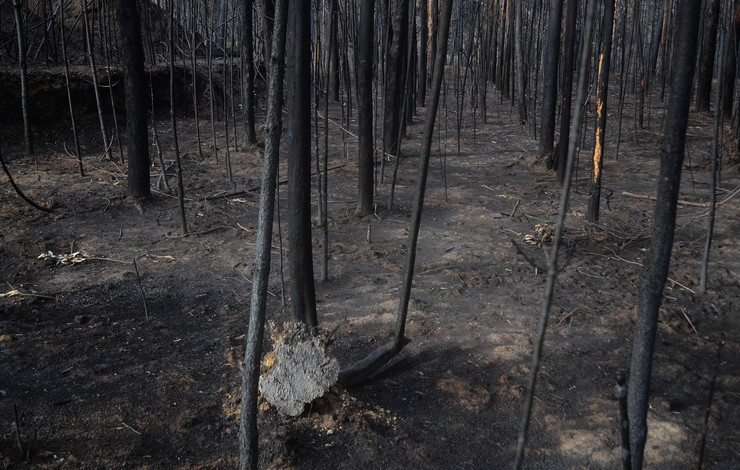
column 594, row 198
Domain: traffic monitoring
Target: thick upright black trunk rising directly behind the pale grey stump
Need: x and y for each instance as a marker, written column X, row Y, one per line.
column 299, row 161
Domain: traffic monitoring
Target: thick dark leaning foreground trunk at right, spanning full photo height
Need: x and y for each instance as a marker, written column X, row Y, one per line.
column 654, row 274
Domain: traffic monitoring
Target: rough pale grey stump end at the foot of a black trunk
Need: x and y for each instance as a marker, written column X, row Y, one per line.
column 298, row 370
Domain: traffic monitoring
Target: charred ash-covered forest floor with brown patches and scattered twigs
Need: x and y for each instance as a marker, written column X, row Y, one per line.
column 95, row 384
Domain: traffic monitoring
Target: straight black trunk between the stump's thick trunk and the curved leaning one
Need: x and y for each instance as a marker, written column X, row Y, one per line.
column 365, row 109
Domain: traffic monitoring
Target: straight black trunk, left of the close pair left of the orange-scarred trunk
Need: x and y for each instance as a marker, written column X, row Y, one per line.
column 550, row 79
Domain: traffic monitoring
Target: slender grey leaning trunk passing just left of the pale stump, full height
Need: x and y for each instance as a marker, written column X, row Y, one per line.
column 248, row 433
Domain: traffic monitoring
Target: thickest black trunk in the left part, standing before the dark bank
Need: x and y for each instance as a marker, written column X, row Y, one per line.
column 136, row 99
